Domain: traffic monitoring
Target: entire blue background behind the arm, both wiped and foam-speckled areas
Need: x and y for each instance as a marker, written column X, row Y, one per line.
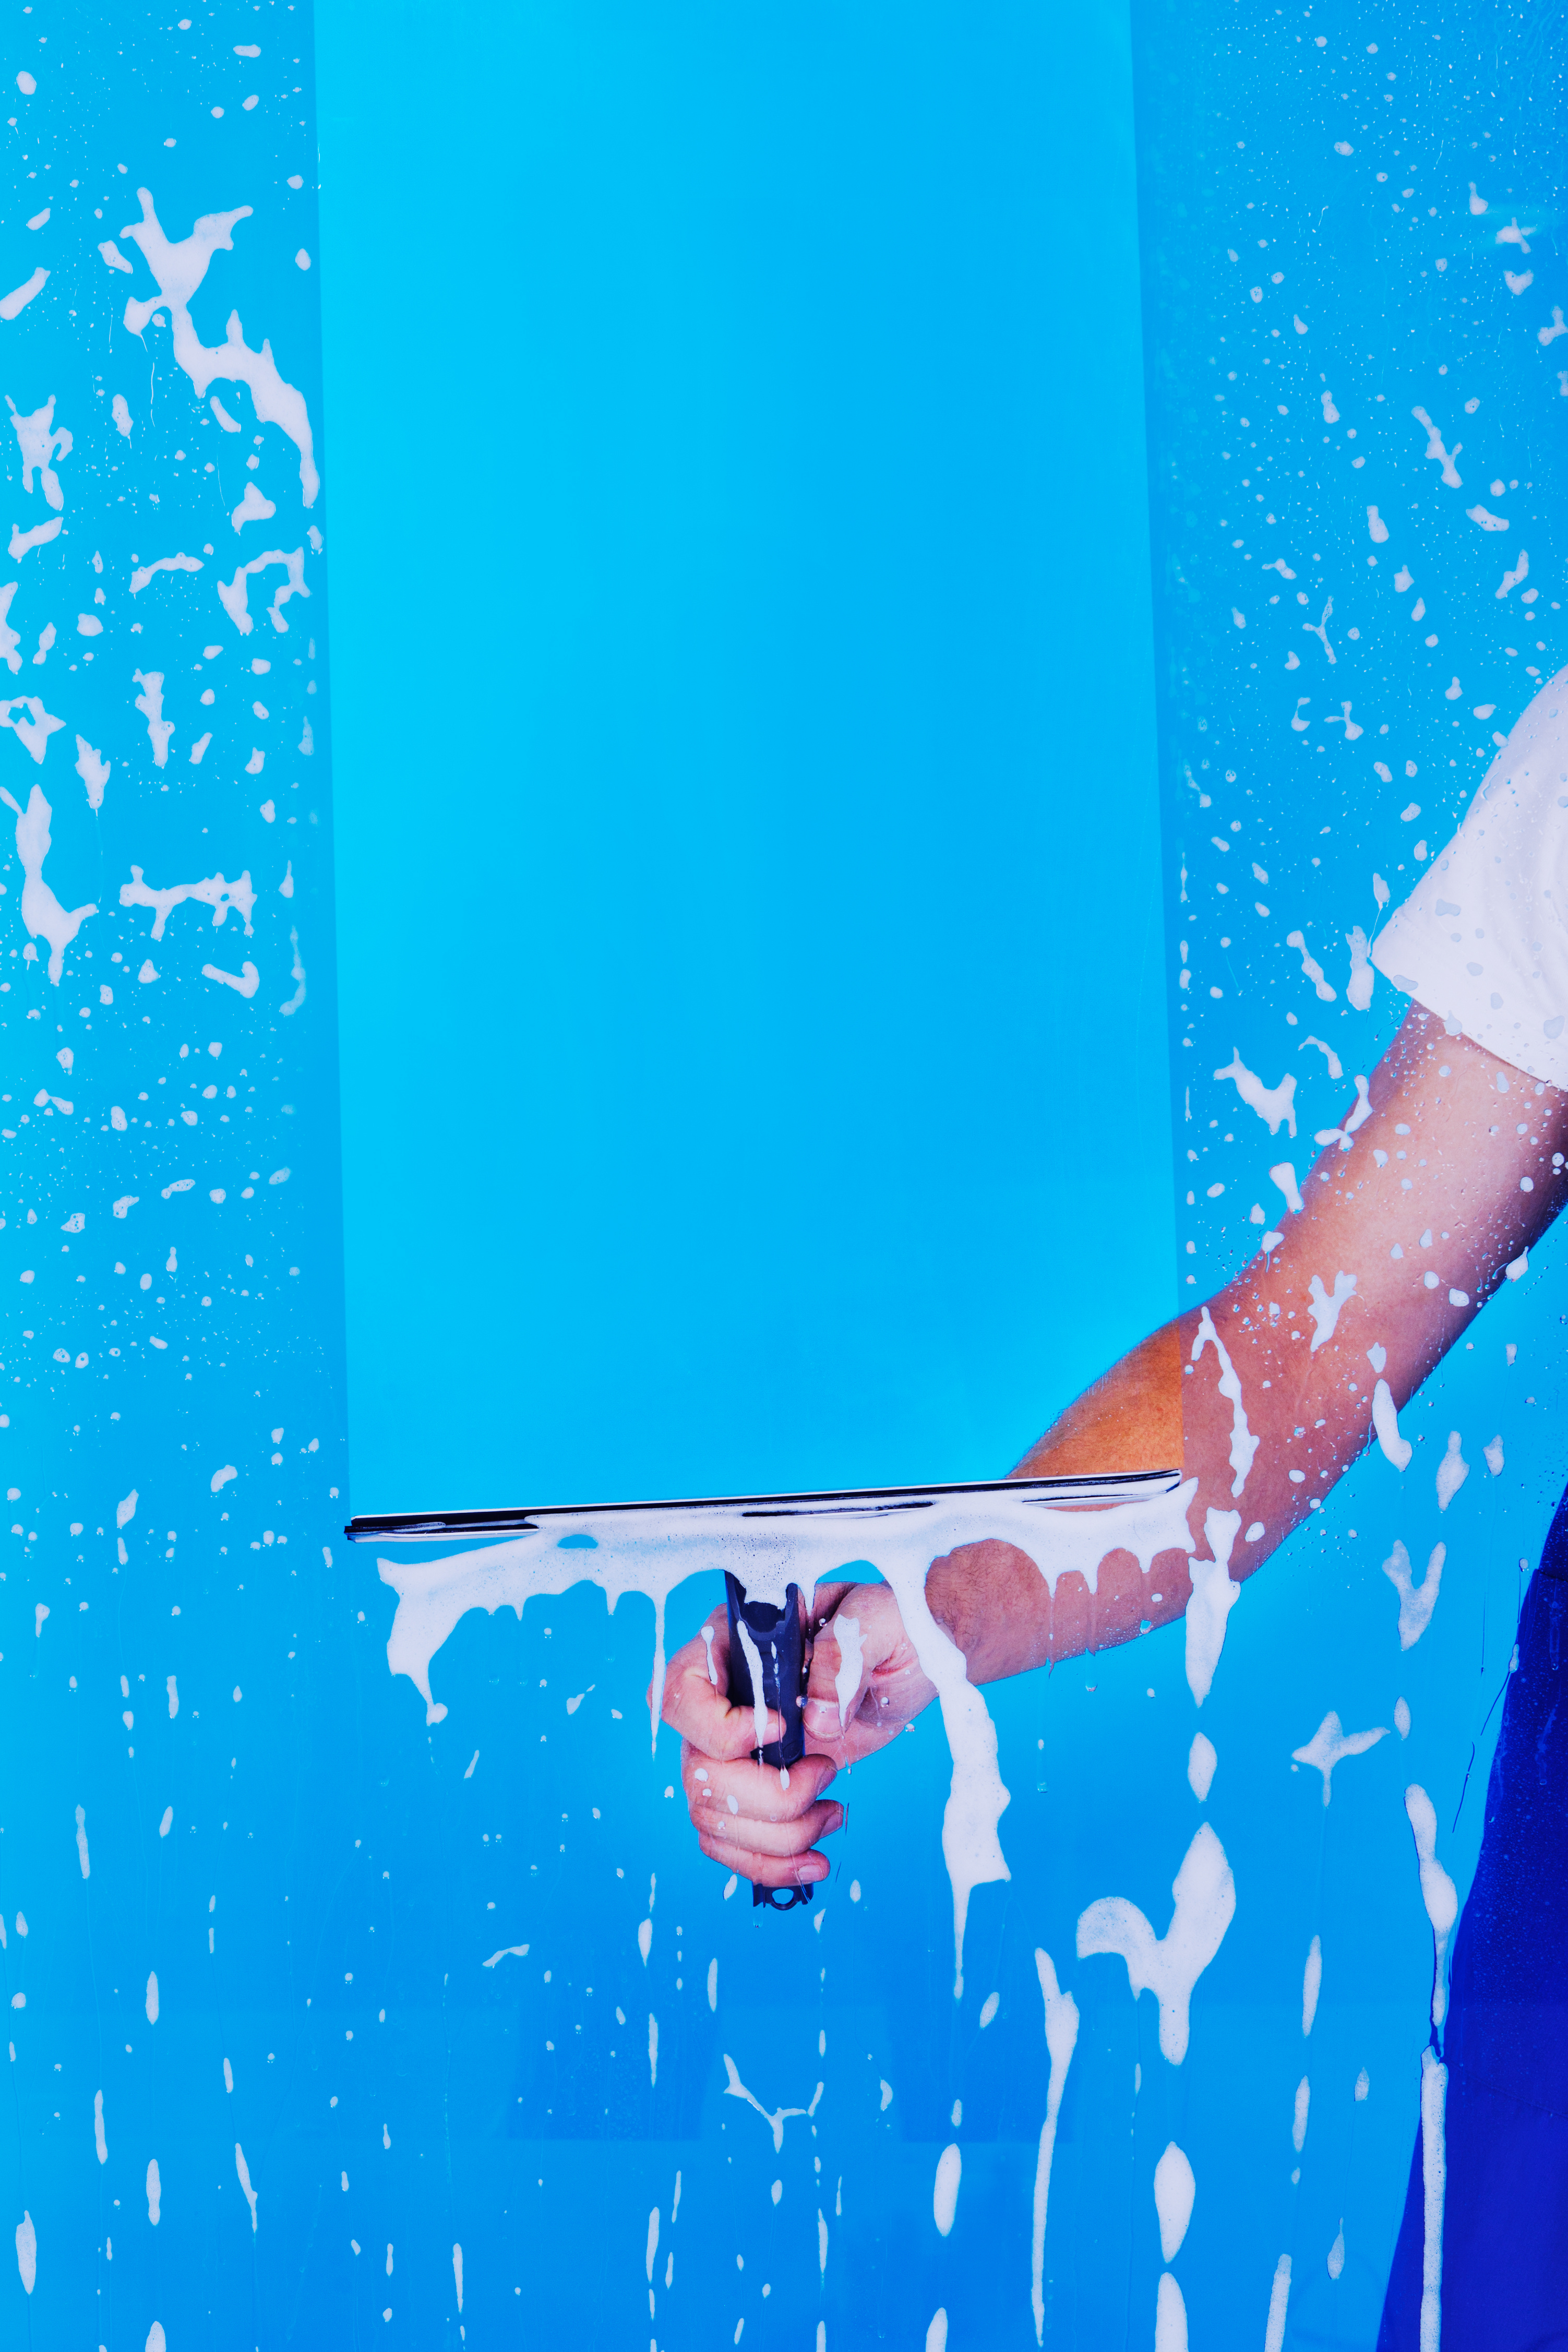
column 756, row 1071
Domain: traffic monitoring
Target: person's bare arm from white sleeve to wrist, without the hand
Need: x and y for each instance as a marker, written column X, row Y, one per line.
column 1430, row 1189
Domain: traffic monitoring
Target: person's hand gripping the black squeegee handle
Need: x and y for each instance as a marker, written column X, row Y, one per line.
column 758, row 1819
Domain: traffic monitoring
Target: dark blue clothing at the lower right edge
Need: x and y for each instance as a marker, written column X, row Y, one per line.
column 1506, row 2036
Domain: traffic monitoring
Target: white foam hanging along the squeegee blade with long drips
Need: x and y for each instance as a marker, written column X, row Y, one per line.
column 768, row 1556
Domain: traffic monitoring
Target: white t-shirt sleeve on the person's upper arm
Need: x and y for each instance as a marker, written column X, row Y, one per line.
column 1485, row 935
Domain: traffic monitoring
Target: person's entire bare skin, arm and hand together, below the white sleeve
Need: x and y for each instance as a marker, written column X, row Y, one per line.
column 1461, row 1180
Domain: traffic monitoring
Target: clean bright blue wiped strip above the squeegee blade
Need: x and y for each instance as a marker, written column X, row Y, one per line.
column 742, row 660
